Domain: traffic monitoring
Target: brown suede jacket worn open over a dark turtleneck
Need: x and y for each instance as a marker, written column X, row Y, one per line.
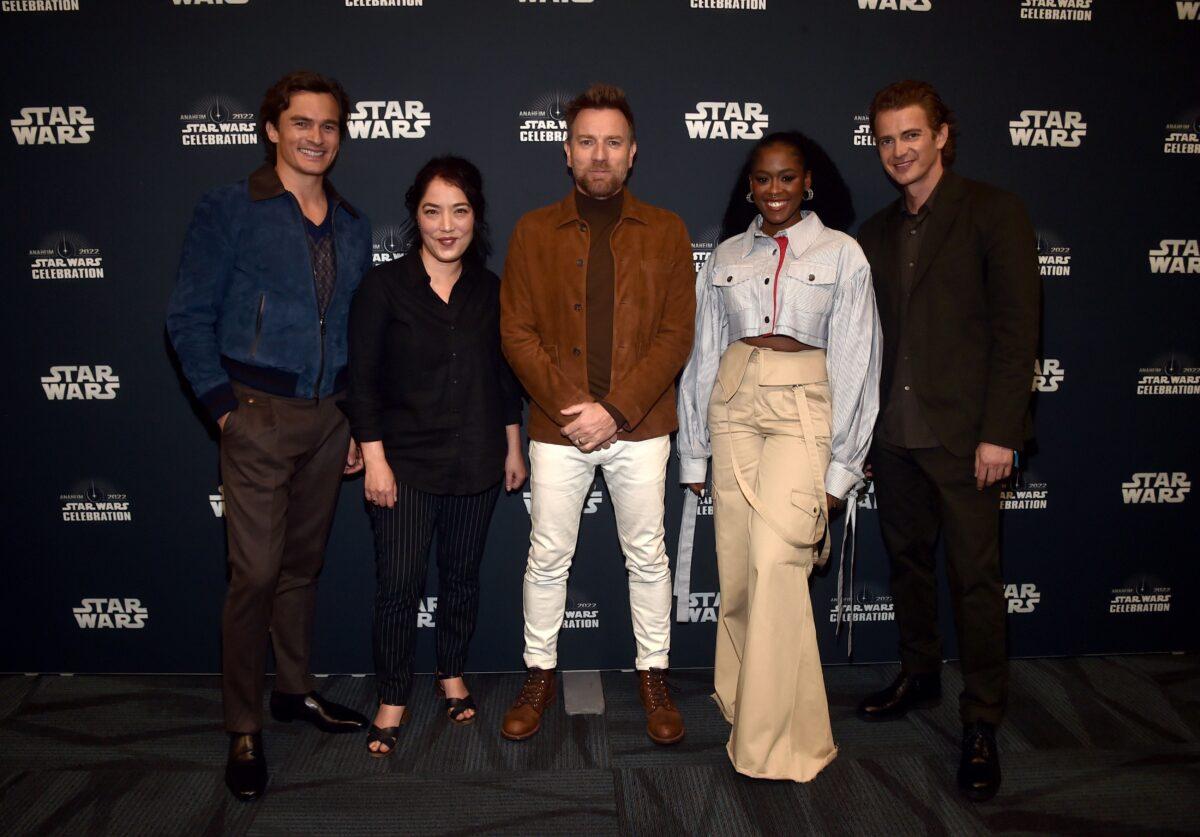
column 544, row 326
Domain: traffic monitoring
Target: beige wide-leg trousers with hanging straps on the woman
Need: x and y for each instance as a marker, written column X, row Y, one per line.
column 770, row 424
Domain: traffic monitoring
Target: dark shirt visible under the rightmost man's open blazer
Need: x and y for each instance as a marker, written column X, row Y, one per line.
column 902, row 423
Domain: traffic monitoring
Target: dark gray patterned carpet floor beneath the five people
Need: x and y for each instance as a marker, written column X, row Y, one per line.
column 1097, row 745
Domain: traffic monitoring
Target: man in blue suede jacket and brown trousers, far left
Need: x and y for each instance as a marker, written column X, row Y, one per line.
column 259, row 318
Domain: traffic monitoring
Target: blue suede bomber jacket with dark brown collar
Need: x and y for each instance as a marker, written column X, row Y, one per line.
column 245, row 304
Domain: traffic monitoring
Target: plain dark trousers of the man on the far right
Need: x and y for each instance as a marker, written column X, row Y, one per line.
column 922, row 493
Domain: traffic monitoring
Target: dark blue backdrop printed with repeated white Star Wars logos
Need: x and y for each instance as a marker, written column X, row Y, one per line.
column 121, row 113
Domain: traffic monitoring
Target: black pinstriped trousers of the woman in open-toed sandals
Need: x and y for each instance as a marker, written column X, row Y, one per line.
column 403, row 537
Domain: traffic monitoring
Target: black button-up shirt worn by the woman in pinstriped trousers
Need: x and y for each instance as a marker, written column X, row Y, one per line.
column 428, row 377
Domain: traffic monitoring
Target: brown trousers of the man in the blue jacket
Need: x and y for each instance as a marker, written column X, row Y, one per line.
column 281, row 465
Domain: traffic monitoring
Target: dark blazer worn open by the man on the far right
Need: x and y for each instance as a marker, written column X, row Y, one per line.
column 973, row 317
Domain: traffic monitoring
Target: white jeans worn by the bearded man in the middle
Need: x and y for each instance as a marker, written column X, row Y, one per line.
column 560, row 480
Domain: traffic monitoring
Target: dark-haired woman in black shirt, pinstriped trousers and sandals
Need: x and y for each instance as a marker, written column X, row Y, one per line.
column 437, row 413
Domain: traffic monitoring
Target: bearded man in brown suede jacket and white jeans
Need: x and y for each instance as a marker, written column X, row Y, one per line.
column 597, row 315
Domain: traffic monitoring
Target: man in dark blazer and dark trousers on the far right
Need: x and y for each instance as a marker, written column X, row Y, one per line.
column 957, row 282
